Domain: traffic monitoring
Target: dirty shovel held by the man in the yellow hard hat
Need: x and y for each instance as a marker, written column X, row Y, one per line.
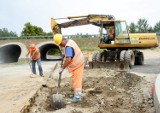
column 57, row 99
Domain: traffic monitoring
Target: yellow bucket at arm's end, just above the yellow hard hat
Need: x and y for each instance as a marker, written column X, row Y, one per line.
column 55, row 27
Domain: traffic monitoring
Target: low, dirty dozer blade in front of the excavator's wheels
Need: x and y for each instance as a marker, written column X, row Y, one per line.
column 117, row 66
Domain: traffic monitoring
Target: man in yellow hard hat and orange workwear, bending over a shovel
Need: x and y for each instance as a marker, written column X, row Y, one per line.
column 74, row 61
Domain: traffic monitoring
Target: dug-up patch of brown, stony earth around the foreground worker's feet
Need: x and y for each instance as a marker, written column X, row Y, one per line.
column 104, row 91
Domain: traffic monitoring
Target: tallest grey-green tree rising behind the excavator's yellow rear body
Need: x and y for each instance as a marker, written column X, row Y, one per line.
column 142, row 26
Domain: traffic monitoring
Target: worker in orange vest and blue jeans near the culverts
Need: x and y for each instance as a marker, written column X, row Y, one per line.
column 36, row 57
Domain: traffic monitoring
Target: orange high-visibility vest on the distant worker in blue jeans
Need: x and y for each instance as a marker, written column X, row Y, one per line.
column 34, row 53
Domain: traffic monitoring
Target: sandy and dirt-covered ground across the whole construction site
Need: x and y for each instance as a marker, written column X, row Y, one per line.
column 104, row 90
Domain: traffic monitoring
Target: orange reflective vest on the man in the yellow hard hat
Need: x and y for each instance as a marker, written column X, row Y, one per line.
column 78, row 58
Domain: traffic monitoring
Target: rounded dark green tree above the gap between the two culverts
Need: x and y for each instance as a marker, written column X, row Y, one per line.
column 31, row 30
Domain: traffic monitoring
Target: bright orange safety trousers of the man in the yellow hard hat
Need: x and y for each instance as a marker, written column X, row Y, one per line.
column 77, row 79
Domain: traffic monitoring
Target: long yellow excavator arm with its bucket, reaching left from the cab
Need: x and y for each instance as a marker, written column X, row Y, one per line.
column 78, row 21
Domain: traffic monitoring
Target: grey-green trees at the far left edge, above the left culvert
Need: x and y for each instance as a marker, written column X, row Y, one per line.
column 5, row 33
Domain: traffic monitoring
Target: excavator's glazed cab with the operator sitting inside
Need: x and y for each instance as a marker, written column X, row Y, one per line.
column 114, row 32
